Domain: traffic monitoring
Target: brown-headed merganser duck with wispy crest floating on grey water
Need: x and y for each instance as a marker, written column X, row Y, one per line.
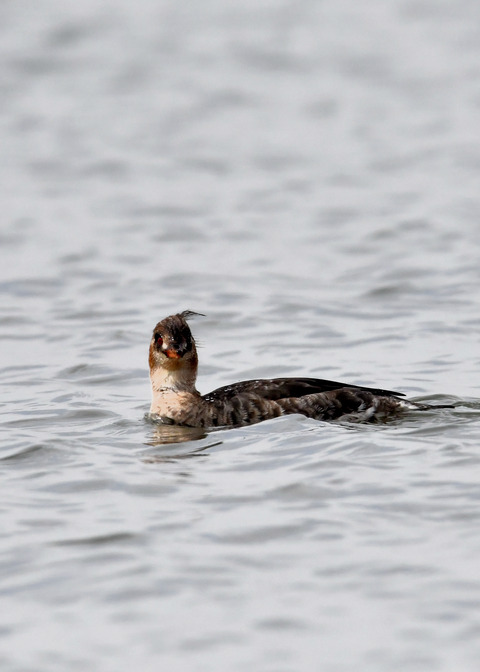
column 173, row 363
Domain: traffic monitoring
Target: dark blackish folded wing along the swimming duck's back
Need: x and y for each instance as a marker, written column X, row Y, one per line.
column 283, row 388
